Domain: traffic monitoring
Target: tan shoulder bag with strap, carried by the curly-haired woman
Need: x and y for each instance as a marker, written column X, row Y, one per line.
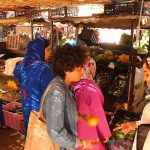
column 37, row 136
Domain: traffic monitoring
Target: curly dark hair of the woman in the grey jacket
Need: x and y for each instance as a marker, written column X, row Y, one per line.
column 67, row 57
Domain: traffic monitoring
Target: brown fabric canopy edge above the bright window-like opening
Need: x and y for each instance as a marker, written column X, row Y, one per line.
column 123, row 22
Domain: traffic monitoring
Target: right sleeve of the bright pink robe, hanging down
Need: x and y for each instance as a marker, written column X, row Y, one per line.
column 98, row 110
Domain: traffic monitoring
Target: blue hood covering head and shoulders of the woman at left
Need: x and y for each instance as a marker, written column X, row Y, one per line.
column 33, row 62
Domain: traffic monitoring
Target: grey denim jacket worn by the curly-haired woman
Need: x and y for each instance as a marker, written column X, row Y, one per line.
column 59, row 110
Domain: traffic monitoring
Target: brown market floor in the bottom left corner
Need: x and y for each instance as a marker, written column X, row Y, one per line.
column 10, row 139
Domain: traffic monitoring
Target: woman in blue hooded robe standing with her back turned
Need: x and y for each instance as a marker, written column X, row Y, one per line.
column 34, row 74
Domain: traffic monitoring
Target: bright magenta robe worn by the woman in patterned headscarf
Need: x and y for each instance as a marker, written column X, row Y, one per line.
column 90, row 100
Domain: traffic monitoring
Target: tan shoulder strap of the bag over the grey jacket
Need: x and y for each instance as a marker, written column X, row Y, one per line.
column 40, row 114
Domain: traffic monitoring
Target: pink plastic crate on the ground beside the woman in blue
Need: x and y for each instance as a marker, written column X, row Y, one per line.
column 12, row 119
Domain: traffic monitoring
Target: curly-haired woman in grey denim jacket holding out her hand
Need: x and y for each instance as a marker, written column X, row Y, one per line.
column 59, row 106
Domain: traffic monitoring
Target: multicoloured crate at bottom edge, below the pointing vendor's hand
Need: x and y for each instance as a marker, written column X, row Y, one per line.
column 119, row 145
